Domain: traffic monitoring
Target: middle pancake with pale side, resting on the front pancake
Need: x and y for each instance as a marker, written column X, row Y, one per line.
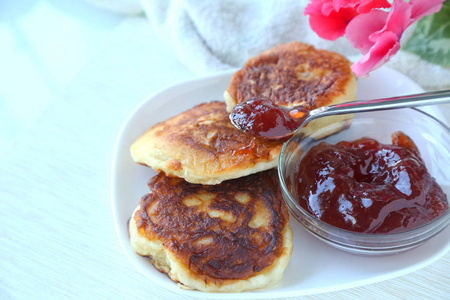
column 202, row 146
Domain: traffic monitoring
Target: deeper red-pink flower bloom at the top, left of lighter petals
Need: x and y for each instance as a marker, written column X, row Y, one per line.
column 329, row 18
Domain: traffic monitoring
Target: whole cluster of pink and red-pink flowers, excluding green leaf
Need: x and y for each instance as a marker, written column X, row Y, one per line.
column 373, row 31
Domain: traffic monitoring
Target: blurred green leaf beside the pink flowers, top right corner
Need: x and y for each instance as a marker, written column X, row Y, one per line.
column 431, row 37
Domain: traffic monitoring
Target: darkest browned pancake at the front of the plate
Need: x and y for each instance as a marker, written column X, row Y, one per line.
column 230, row 237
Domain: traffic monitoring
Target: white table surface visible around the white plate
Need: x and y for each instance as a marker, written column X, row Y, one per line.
column 63, row 100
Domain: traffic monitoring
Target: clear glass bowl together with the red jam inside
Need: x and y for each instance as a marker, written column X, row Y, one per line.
column 376, row 183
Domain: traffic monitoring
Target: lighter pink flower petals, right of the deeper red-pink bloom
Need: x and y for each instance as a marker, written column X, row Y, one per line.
column 377, row 34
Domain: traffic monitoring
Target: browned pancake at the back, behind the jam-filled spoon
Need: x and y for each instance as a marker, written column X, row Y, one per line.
column 295, row 74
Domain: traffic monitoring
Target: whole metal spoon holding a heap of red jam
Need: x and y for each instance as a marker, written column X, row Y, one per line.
column 266, row 120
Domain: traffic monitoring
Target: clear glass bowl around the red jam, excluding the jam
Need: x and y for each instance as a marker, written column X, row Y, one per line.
column 432, row 138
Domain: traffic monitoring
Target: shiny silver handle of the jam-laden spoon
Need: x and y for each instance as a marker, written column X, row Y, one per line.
column 415, row 100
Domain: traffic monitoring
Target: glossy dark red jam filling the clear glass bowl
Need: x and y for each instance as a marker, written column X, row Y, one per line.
column 365, row 186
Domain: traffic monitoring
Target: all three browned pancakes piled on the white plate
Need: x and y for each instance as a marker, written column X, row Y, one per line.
column 214, row 219
